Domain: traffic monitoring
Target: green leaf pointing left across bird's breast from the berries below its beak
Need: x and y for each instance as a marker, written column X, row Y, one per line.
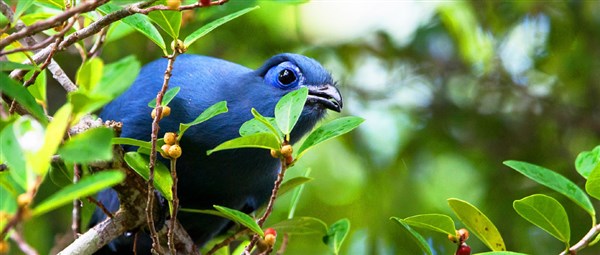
column 260, row 140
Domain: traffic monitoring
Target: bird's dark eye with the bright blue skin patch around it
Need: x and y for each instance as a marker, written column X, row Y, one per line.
column 282, row 76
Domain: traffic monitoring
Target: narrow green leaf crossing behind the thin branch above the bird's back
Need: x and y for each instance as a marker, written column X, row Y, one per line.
column 140, row 23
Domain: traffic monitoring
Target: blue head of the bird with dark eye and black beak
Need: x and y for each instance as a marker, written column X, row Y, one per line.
column 287, row 72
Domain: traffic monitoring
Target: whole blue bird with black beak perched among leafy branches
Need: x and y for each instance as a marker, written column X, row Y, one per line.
column 241, row 179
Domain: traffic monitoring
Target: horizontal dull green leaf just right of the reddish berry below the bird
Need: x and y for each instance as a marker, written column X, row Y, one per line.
column 301, row 226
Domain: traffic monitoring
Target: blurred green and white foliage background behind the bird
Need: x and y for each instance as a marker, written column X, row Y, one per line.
column 449, row 90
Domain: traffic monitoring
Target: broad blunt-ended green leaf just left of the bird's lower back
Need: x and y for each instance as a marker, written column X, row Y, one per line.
column 89, row 146
